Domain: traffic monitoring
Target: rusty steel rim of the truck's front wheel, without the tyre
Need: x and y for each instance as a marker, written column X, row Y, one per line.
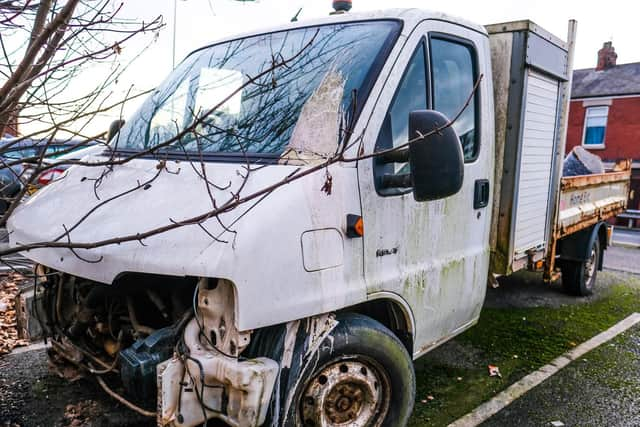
column 353, row 393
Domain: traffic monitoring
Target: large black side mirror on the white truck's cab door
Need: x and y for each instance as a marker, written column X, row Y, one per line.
column 437, row 164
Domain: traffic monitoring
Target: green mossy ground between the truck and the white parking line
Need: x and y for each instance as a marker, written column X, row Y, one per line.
column 518, row 341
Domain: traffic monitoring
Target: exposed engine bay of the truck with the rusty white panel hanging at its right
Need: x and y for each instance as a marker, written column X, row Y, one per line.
column 166, row 347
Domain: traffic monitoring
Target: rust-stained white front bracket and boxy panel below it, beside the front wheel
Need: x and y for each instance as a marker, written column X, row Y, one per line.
column 206, row 378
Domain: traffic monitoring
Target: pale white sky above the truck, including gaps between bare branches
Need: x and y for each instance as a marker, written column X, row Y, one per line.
column 200, row 22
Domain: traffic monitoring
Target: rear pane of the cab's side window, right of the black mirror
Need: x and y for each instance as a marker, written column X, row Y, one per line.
column 453, row 77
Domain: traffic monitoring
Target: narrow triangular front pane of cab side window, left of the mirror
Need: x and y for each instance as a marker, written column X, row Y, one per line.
column 411, row 95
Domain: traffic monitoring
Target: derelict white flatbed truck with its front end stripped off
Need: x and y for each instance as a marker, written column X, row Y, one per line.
column 307, row 307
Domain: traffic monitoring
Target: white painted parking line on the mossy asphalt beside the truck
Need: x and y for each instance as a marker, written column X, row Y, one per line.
column 518, row 389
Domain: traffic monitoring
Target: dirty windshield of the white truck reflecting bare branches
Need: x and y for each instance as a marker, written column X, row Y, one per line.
column 246, row 96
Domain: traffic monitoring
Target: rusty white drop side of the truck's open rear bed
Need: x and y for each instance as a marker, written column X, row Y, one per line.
column 588, row 199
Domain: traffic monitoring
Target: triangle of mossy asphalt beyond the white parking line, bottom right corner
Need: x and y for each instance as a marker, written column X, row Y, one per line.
column 601, row 389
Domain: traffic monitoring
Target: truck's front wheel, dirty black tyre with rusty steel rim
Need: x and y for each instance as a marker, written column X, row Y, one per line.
column 343, row 371
